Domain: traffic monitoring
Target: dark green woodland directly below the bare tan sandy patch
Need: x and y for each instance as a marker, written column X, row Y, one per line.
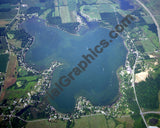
column 147, row 92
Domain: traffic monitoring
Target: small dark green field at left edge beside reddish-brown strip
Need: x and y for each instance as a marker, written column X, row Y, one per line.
column 3, row 62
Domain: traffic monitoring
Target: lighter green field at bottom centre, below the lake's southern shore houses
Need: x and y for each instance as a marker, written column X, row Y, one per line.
column 98, row 121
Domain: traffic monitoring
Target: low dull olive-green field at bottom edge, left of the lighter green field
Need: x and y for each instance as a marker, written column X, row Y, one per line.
column 46, row 124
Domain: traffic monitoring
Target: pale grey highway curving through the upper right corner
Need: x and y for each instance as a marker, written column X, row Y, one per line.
column 152, row 16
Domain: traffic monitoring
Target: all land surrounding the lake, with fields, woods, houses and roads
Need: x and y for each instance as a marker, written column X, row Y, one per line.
column 23, row 88
